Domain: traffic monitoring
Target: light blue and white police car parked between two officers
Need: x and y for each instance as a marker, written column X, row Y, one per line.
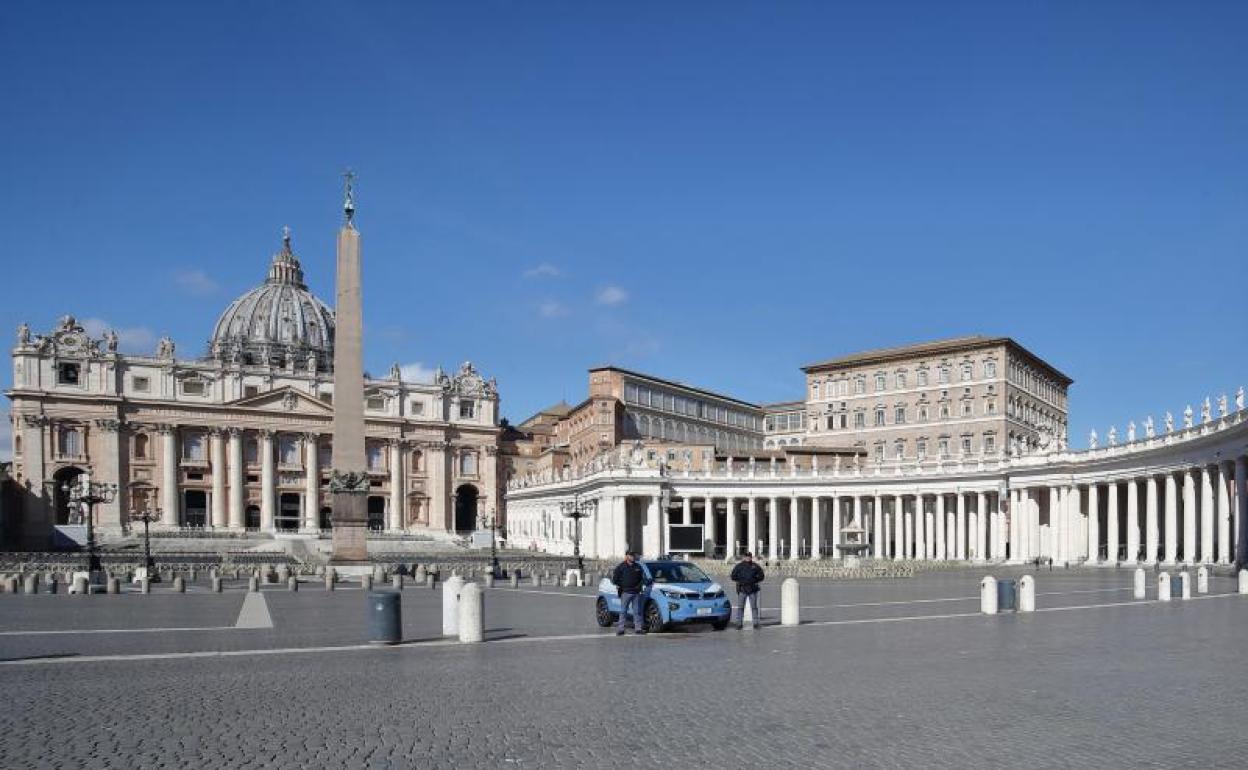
column 676, row 593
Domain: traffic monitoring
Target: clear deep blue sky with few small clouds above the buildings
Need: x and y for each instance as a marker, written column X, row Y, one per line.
column 712, row 193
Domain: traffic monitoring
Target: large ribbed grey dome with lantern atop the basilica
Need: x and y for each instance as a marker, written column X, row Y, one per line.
column 280, row 323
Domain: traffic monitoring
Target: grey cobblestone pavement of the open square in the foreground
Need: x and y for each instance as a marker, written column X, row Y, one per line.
column 1121, row 685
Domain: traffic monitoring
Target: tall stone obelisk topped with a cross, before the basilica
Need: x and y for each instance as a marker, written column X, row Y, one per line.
column 349, row 479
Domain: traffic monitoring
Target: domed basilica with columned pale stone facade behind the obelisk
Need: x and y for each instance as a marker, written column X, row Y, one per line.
column 240, row 439
